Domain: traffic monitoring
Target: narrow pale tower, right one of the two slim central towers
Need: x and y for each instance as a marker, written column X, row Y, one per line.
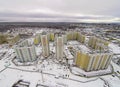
column 59, row 47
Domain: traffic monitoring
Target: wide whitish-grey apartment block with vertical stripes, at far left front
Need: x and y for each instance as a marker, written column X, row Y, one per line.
column 26, row 54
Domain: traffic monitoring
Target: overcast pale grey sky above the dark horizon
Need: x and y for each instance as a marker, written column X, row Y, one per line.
column 60, row 10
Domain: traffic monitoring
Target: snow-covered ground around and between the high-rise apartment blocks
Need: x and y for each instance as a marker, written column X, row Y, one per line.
column 51, row 73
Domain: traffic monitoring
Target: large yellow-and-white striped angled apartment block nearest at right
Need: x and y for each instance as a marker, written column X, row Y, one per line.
column 92, row 62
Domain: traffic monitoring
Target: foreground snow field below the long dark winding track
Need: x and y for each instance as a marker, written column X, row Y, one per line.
column 34, row 78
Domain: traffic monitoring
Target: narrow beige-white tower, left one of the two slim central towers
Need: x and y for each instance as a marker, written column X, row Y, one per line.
column 45, row 45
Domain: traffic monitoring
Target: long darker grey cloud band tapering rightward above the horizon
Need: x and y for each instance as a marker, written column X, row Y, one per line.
column 48, row 15
